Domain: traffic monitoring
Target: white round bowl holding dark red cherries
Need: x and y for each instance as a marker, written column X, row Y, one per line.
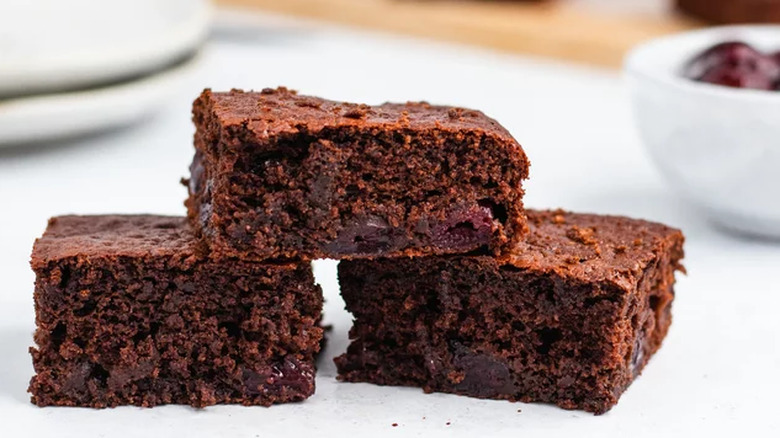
column 719, row 147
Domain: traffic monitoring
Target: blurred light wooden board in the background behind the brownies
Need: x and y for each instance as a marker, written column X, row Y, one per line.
column 560, row 29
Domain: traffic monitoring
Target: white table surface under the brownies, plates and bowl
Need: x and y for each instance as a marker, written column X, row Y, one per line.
column 716, row 375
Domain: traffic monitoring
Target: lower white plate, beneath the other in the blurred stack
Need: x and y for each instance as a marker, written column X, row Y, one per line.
column 52, row 116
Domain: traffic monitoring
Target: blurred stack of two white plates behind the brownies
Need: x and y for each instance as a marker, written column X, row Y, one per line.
column 69, row 67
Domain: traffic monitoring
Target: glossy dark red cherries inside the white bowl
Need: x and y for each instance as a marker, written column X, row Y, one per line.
column 735, row 64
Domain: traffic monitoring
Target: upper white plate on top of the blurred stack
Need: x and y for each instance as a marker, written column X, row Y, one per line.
column 54, row 44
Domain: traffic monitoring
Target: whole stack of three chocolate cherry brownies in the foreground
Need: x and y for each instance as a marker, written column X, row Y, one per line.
column 453, row 286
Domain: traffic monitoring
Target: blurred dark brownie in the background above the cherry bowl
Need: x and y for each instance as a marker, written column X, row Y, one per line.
column 732, row 11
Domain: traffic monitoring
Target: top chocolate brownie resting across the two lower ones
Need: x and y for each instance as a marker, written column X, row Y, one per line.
column 279, row 175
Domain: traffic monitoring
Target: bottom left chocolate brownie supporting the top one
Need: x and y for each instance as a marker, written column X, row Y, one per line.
column 130, row 311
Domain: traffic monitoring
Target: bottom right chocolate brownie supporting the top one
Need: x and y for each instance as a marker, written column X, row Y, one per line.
column 570, row 319
